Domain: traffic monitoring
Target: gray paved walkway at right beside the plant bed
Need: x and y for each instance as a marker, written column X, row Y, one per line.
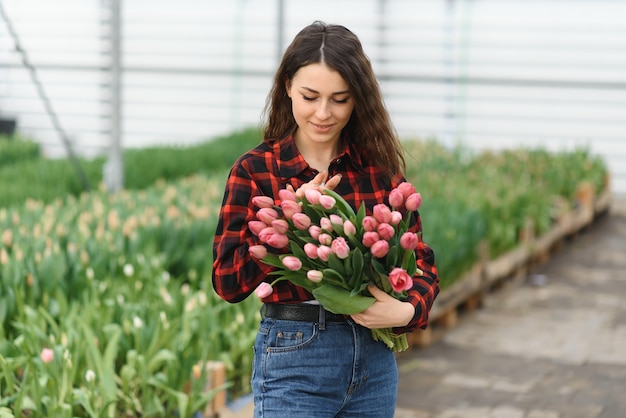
column 552, row 345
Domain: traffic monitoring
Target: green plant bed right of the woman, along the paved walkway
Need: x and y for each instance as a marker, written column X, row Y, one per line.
column 490, row 197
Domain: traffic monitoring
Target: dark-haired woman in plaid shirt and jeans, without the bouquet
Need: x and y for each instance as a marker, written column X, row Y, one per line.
column 327, row 128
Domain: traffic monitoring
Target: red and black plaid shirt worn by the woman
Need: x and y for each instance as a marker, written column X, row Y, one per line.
column 264, row 171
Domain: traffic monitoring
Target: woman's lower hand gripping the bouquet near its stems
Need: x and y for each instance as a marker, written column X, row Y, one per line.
column 385, row 312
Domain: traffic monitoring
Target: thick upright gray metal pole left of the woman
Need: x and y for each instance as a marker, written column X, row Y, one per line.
column 114, row 168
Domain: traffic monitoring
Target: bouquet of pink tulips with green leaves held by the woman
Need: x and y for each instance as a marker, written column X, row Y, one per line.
column 335, row 253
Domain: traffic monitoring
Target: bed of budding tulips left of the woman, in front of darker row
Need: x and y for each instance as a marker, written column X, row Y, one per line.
column 92, row 279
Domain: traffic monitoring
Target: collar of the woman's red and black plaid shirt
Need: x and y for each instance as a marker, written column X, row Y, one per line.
column 291, row 163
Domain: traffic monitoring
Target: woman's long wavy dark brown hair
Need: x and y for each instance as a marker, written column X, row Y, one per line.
column 370, row 127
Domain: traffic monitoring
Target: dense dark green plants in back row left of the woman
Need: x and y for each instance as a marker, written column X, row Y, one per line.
column 25, row 174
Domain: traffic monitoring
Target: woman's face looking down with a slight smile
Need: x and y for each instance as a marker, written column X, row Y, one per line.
column 321, row 103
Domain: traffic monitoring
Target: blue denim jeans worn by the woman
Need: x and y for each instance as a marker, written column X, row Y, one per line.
column 336, row 370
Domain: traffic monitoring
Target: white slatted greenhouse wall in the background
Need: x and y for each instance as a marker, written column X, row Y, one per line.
column 489, row 74
